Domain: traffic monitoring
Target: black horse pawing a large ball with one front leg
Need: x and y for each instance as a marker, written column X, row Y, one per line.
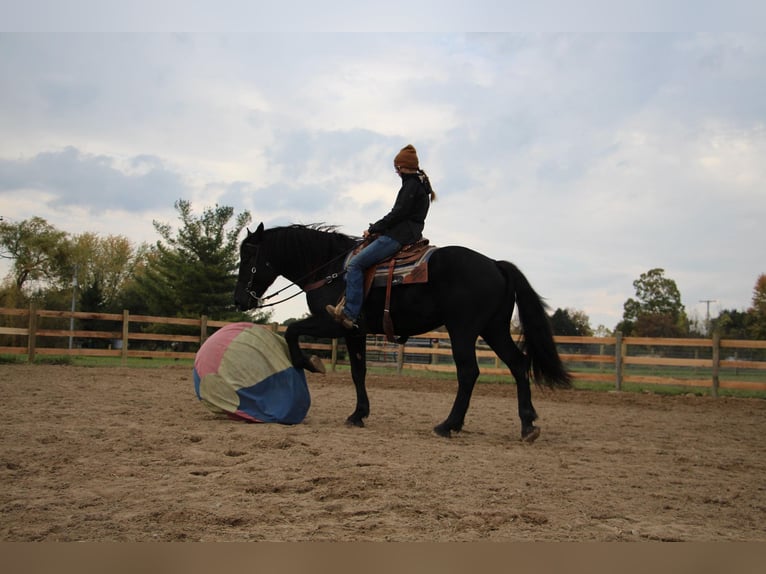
column 470, row 294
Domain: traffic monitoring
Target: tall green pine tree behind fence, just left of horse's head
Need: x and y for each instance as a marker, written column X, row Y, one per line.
column 192, row 271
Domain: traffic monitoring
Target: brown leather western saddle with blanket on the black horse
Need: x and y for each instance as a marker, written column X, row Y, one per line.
column 407, row 266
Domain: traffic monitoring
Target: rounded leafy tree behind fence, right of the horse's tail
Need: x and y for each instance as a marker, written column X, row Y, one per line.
column 657, row 310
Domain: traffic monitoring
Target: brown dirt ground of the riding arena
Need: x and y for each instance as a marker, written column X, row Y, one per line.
column 111, row 454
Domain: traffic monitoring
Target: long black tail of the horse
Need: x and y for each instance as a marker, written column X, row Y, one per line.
column 544, row 363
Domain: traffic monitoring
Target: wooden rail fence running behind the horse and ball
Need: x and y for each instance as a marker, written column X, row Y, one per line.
column 711, row 363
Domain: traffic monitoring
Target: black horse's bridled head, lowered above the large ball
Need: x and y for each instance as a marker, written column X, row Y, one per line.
column 255, row 272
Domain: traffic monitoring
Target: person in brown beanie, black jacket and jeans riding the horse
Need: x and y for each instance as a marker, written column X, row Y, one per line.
column 403, row 225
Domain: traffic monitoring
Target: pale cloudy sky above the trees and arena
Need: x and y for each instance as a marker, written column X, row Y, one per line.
column 585, row 157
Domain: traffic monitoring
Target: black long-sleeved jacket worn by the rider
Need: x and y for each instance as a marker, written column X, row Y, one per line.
column 405, row 222
